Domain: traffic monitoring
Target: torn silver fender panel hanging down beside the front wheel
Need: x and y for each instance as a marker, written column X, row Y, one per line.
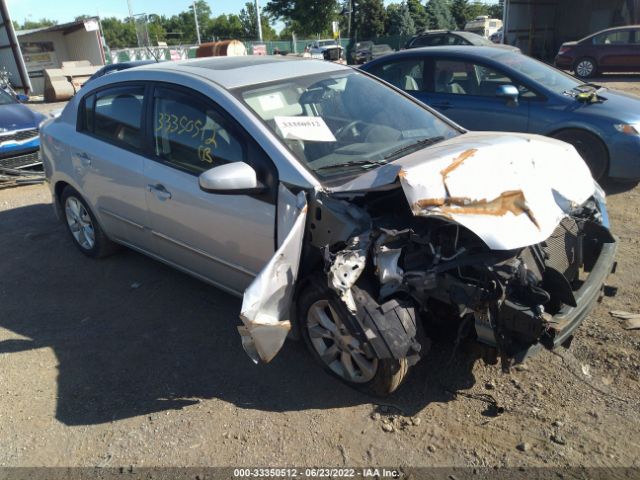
column 266, row 304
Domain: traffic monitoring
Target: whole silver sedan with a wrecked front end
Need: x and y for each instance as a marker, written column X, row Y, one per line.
column 344, row 211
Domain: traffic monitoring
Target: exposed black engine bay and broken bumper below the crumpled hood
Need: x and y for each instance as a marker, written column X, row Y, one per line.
column 508, row 298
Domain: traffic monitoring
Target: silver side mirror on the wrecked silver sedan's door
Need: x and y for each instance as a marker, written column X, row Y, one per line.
column 234, row 178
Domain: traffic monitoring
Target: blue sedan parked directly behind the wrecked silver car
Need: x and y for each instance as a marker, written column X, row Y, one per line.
column 487, row 88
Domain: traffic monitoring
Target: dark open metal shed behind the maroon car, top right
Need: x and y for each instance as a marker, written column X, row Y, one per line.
column 539, row 27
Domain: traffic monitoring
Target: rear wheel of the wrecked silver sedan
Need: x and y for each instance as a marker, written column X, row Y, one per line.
column 86, row 233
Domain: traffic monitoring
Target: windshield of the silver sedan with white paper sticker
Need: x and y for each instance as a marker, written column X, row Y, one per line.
column 342, row 123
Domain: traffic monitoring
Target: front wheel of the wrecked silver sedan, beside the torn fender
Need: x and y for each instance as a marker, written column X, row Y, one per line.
column 369, row 374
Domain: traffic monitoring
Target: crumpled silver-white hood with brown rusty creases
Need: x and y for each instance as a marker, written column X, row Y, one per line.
column 512, row 190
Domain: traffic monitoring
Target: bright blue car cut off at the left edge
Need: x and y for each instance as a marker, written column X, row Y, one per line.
column 19, row 133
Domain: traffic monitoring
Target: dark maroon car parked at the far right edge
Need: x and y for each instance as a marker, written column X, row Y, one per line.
column 612, row 50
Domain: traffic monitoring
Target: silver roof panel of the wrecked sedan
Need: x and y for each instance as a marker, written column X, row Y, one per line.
column 233, row 72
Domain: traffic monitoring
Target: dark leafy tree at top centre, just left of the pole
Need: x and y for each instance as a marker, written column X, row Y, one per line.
column 311, row 16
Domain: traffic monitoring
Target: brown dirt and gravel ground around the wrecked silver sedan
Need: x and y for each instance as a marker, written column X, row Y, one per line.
column 126, row 362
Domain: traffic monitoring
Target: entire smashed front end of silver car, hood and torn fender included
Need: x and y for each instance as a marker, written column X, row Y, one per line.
column 515, row 261
